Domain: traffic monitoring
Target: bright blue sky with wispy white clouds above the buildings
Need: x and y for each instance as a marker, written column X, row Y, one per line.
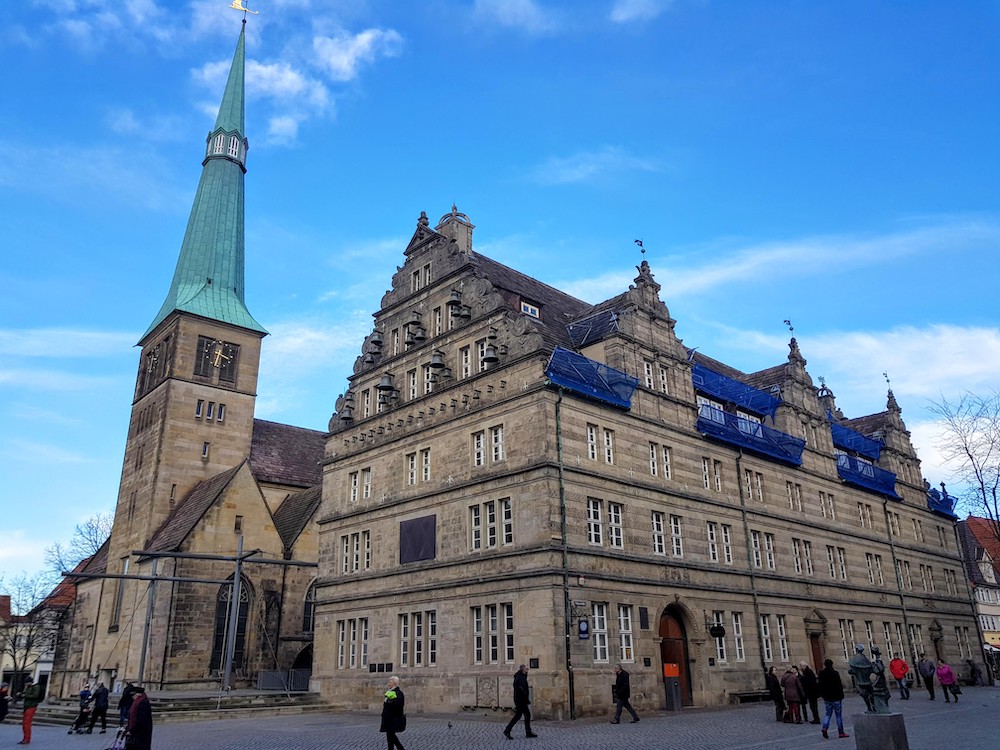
column 832, row 162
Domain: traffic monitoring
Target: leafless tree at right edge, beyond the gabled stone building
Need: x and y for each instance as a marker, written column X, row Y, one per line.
column 971, row 444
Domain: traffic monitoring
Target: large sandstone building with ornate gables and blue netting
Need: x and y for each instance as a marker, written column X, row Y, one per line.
column 517, row 476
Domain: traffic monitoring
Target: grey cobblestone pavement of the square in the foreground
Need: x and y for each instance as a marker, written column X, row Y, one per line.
column 970, row 724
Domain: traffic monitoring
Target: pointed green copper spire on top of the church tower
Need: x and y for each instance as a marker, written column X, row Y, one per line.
column 208, row 279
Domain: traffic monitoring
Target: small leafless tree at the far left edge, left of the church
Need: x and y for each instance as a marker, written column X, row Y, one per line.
column 29, row 629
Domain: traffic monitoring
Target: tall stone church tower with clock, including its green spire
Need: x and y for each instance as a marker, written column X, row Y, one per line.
column 193, row 407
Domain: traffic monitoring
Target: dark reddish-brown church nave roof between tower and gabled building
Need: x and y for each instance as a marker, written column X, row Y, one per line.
column 282, row 454
